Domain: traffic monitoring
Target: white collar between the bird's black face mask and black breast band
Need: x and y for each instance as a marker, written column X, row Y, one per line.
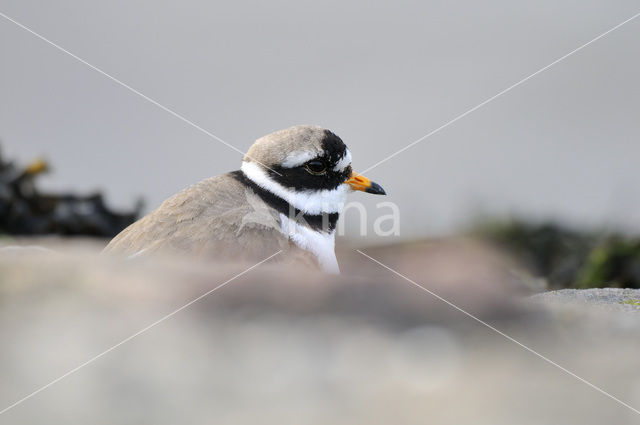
column 308, row 201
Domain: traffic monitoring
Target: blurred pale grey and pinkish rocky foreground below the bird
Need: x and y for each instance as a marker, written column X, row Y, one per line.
column 275, row 346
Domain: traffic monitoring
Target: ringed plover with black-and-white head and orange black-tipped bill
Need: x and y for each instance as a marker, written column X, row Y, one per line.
column 286, row 197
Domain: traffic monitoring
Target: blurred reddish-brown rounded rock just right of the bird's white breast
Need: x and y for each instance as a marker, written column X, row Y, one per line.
column 467, row 272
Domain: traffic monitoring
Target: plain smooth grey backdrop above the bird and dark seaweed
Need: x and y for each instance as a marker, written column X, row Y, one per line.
column 563, row 145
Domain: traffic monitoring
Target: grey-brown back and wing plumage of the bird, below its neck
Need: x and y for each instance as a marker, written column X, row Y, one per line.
column 217, row 218
